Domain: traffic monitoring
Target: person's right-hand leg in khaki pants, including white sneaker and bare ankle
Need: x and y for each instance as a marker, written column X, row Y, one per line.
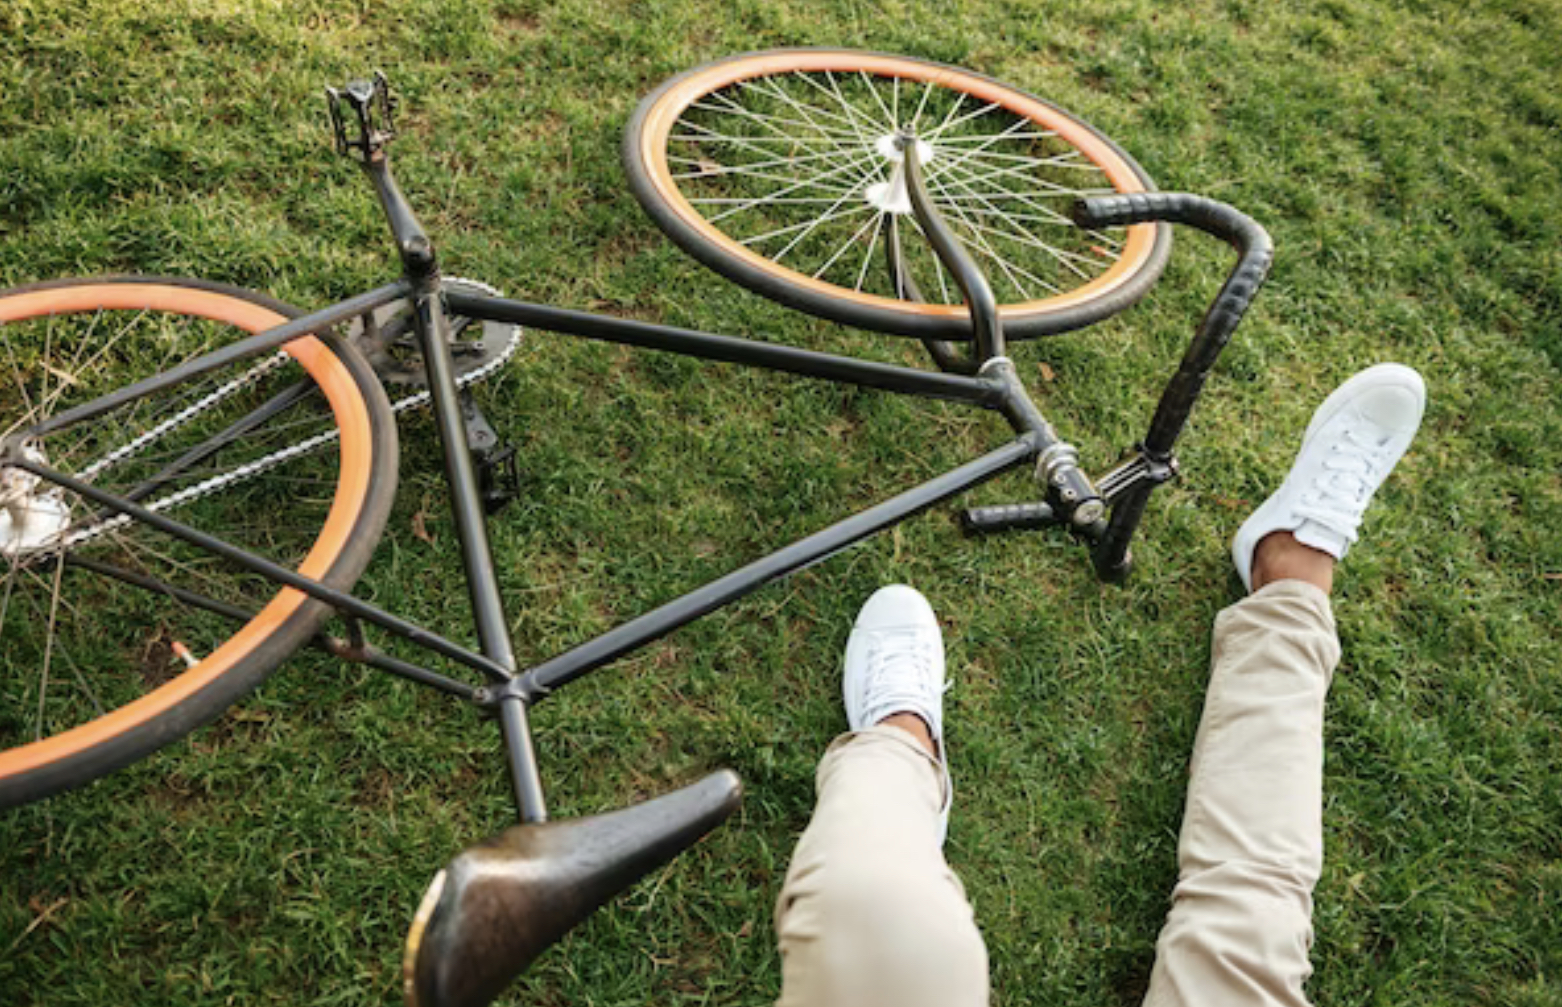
column 1252, row 844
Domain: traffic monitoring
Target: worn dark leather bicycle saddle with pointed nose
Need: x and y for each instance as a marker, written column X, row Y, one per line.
column 502, row 903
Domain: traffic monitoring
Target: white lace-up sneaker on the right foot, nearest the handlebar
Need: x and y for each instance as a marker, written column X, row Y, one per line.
column 1352, row 446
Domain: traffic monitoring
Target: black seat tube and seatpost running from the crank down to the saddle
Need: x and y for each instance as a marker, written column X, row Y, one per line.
column 476, row 557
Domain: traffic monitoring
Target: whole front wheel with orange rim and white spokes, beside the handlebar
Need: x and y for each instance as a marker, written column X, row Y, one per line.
column 782, row 171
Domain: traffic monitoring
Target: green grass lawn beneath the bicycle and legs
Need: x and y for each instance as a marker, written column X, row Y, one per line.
column 1405, row 158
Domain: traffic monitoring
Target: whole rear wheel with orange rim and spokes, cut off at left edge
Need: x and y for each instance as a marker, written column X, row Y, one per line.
column 121, row 639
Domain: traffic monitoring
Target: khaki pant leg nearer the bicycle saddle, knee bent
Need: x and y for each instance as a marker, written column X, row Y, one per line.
column 871, row 914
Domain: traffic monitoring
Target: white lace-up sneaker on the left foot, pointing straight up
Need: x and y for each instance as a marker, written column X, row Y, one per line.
column 896, row 666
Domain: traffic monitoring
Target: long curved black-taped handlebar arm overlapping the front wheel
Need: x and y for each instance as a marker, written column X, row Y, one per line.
column 1257, row 255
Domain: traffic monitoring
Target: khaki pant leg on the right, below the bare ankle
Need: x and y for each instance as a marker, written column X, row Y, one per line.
column 1252, row 844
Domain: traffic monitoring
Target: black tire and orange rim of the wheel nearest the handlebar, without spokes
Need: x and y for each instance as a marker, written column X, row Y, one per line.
column 658, row 191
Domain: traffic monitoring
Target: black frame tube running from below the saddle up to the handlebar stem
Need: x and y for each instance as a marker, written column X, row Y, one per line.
column 660, row 622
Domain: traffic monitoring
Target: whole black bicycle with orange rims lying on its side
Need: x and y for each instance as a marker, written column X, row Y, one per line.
column 796, row 174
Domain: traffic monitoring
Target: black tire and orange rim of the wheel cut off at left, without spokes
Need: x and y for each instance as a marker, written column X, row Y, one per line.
column 199, row 694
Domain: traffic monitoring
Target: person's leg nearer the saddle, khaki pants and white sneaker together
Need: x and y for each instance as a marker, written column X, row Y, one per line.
column 871, row 914
